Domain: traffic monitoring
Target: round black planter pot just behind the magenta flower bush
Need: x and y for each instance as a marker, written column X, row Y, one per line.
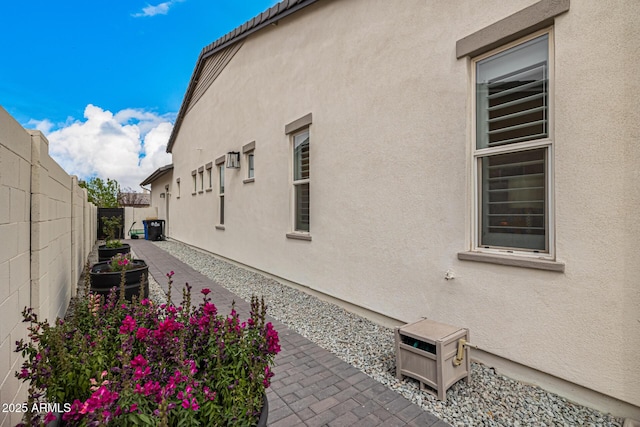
column 103, row 279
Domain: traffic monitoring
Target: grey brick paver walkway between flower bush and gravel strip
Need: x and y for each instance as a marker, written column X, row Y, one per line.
column 312, row 386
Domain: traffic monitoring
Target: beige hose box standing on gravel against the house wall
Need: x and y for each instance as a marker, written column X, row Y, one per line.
column 427, row 351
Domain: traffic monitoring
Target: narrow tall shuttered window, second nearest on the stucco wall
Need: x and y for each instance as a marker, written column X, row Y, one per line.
column 301, row 180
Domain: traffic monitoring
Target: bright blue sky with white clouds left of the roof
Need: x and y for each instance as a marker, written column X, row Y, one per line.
column 99, row 76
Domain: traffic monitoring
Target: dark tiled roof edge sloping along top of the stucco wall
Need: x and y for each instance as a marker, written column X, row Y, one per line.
column 268, row 17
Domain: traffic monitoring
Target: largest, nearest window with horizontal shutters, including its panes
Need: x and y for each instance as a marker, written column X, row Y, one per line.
column 513, row 147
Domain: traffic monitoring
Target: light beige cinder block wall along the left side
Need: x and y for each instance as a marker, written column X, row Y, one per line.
column 47, row 229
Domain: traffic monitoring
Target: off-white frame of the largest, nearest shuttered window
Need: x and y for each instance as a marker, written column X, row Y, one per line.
column 545, row 143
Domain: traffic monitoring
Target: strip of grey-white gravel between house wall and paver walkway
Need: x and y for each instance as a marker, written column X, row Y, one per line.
column 490, row 399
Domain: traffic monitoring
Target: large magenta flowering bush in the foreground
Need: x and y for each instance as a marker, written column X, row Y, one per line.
column 139, row 363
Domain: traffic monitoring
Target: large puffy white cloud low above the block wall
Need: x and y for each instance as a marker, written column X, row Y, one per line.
column 127, row 146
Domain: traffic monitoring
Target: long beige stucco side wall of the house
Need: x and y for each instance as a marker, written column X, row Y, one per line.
column 391, row 184
